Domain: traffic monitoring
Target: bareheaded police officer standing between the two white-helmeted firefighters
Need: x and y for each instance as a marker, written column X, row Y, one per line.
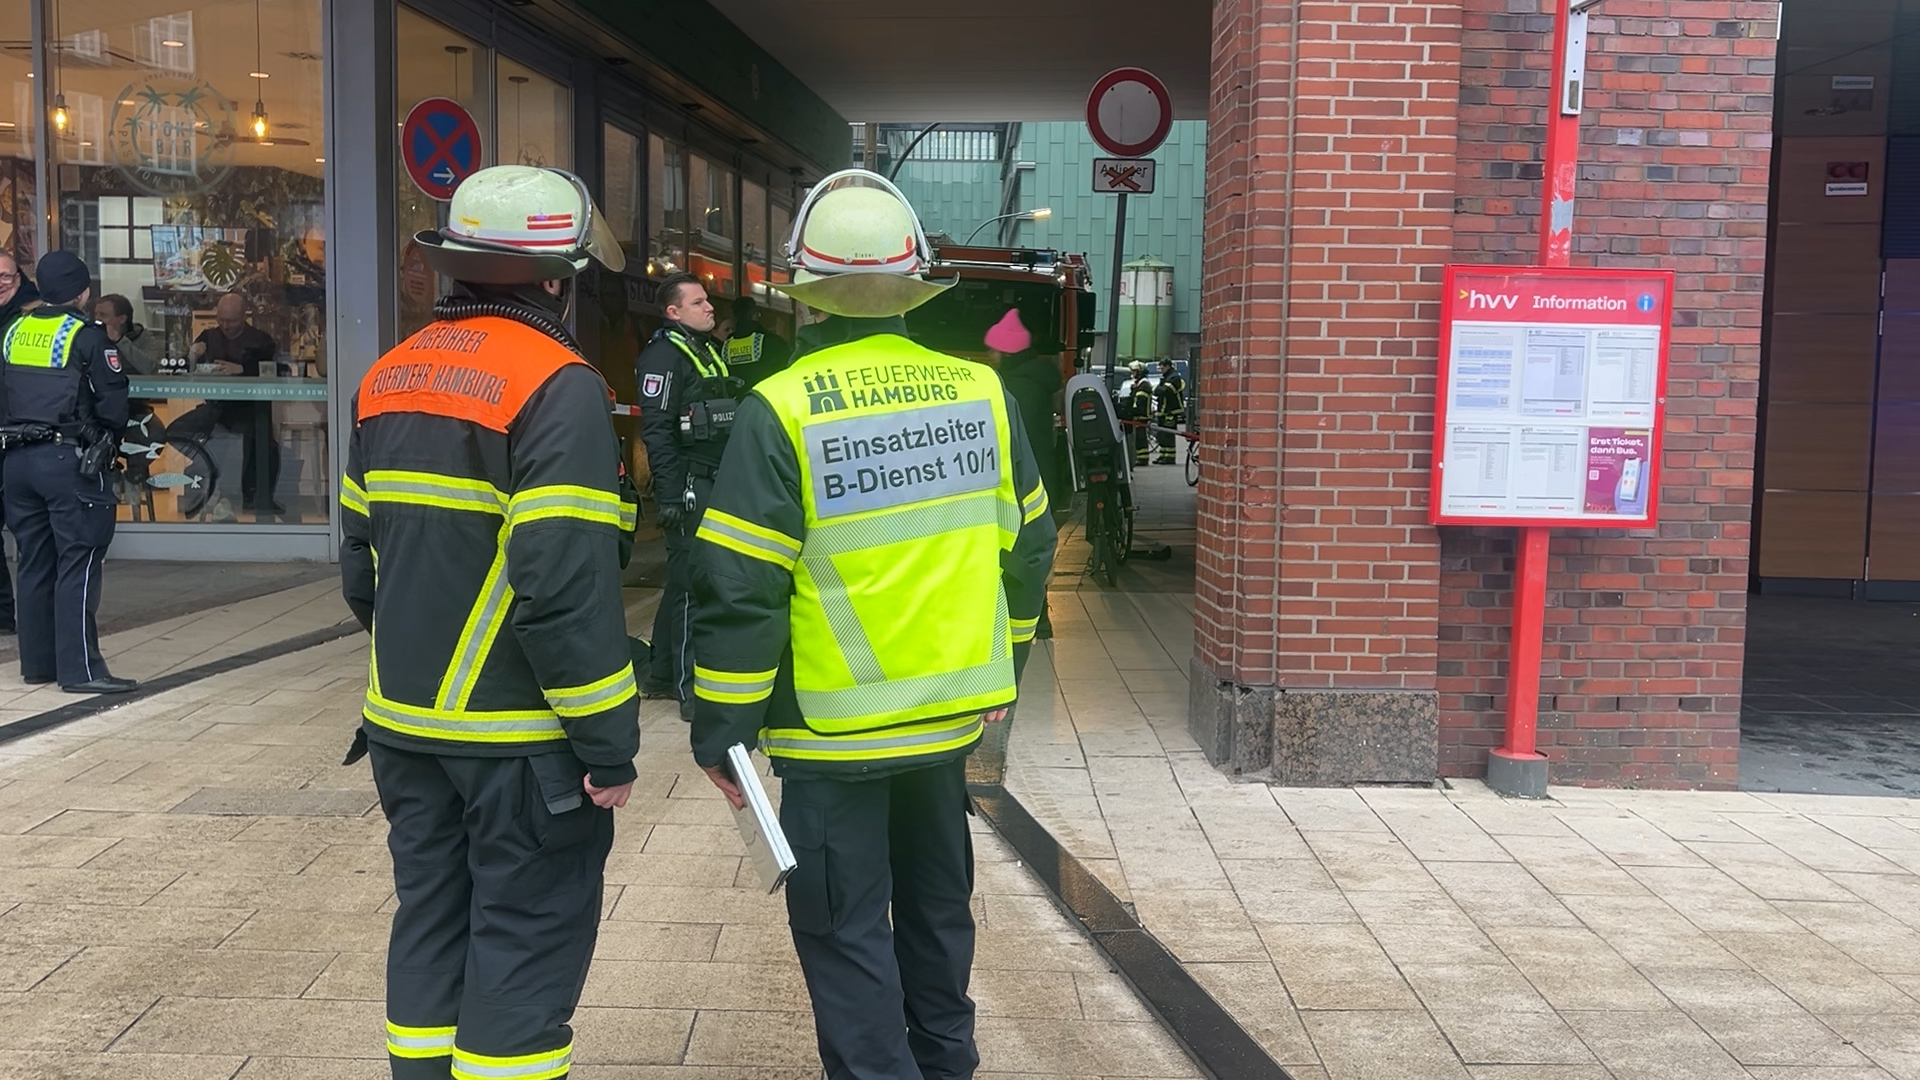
column 686, row 410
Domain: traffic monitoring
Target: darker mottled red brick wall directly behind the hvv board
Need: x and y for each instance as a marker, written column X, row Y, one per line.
column 1644, row 631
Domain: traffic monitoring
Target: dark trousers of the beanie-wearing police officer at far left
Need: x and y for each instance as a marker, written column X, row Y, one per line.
column 62, row 526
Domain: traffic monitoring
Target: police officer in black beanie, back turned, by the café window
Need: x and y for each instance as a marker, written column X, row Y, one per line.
column 66, row 405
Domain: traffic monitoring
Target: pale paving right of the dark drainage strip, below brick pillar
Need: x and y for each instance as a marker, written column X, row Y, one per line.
column 1426, row 933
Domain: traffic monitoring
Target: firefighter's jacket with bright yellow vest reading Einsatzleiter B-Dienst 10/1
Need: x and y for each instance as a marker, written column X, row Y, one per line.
column 873, row 566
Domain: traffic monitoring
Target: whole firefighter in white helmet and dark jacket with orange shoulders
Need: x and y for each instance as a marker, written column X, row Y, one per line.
column 483, row 552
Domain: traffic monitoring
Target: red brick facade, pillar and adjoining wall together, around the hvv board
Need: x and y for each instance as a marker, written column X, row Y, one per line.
column 1355, row 151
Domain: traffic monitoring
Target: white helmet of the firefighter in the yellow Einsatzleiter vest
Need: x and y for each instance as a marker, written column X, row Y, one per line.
column 857, row 251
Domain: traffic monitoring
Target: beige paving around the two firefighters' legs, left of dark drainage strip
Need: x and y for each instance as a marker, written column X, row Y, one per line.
column 193, row 889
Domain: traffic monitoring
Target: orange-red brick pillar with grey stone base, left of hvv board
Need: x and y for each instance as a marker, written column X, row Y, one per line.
column 1330, row 214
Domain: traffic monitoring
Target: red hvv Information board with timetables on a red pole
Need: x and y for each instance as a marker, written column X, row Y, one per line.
column 1552, row 397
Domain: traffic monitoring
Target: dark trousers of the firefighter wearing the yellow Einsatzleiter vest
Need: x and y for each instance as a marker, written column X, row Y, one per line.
column 890, row 1000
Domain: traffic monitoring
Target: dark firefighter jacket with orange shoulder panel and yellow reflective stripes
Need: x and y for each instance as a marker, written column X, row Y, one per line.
column 483, row 520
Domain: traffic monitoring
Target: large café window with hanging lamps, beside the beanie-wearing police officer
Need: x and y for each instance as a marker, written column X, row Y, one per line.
column 193, row 185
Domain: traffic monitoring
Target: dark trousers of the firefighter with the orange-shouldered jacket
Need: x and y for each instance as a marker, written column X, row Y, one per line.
column 500, row 904
